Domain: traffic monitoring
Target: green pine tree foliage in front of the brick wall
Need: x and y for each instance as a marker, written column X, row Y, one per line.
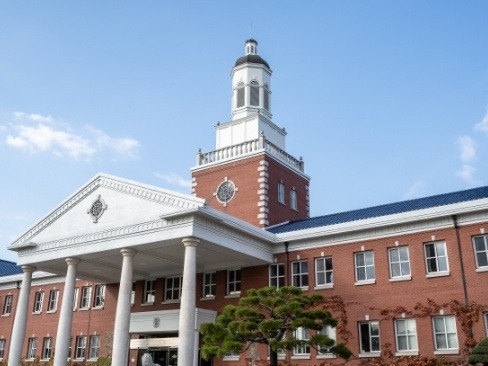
column 270, row 316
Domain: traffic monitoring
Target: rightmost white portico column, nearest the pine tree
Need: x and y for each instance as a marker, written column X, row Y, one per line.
column 186, row 329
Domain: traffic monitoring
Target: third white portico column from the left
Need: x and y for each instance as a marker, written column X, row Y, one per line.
column 120, row 349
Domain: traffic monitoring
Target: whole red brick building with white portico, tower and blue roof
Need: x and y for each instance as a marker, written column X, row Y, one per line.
column 122, row 268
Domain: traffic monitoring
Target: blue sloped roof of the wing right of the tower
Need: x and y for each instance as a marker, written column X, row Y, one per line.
column 383, row 210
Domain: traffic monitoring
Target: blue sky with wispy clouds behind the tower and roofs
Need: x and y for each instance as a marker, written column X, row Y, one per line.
column 385, row 100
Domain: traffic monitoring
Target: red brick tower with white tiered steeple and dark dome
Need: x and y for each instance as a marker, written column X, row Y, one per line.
column 249, row 174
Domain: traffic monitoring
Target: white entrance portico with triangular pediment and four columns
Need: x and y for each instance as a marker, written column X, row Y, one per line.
column 117, row 231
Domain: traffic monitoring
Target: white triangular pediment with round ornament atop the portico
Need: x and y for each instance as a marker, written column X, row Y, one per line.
column 104, row 203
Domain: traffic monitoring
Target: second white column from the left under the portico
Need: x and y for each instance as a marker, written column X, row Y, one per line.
column 66, row 314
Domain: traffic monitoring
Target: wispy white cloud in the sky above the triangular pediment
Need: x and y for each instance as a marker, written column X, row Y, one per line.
column 37, row 133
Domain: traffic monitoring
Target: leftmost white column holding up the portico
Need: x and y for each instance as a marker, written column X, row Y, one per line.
column 20, row 322
